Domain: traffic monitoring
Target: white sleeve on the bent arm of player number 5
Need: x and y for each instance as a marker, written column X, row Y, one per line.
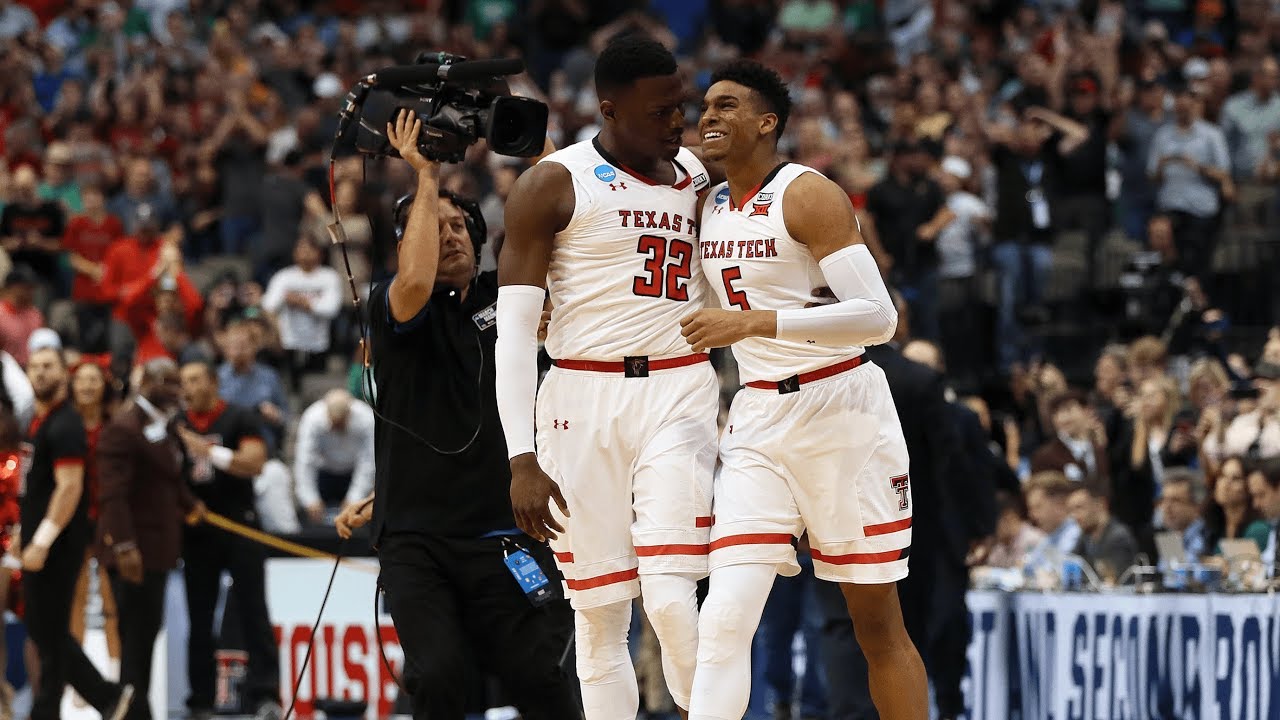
column 865, row 316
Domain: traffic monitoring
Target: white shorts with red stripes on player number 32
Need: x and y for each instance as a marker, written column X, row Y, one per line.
column 636, row 458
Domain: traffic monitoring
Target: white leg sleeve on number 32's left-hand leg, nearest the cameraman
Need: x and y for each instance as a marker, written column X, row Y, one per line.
column 605, row 669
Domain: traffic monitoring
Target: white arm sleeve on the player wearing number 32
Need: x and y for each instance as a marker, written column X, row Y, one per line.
column 520, row 308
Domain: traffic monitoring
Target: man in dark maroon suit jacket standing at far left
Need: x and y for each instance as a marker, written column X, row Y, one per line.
column 144, row 499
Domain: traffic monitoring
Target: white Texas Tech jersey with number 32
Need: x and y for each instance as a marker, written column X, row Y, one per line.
column 625, row 270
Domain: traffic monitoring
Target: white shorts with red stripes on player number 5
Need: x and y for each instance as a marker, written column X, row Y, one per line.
column 828, row 457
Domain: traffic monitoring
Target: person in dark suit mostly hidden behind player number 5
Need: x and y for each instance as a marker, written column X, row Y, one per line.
column 920, row 395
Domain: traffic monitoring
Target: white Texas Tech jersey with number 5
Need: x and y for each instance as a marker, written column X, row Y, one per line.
column 755, row 265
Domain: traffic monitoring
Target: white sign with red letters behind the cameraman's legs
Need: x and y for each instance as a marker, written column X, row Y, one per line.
column 345, row 664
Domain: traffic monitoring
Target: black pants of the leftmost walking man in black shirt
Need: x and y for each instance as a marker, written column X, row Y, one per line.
column 48, row 618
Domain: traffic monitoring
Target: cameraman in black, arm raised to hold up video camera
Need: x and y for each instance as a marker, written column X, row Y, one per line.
column 442, row 520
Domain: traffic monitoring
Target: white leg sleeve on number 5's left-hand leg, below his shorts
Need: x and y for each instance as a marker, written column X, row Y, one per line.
column 723, row 685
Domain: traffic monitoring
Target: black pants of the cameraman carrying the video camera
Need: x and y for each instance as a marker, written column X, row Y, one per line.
column 452, row 599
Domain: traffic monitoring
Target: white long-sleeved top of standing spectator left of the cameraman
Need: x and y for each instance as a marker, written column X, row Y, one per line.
column 304, row 329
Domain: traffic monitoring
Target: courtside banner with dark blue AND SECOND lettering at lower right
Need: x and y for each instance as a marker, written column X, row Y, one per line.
column 1124, row 658
